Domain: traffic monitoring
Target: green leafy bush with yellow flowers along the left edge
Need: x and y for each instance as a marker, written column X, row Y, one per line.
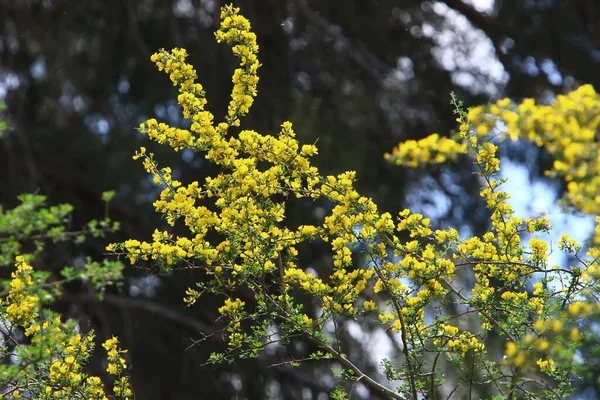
column 42, row 355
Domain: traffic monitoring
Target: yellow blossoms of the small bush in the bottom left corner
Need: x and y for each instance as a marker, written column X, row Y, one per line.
column 55, row 347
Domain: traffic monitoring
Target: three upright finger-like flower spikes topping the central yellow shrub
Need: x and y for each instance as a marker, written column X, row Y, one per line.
column 203, row 134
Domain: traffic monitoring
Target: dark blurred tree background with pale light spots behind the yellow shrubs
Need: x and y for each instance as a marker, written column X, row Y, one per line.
column 355, row 76
